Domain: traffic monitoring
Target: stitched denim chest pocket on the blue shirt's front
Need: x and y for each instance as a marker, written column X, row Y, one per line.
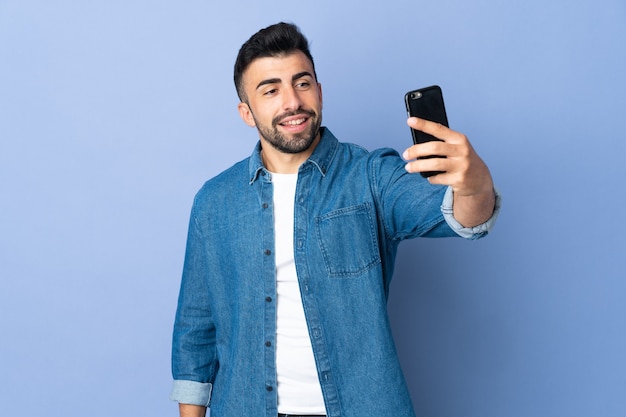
column 348, row 240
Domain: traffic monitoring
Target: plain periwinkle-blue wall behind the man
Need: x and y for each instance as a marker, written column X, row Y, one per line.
column 113, row 113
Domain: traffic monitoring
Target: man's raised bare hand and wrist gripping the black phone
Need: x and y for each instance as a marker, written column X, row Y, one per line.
column 464, row 171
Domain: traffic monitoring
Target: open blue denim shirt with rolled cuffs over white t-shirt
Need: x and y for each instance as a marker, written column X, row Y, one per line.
column 352, row 209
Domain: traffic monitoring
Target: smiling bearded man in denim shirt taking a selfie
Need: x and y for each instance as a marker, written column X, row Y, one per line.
column 290, row 252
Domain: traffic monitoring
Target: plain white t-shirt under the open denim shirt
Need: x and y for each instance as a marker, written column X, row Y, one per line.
column 299, row 390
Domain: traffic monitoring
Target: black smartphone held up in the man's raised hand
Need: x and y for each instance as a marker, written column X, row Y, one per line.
column 426, row 103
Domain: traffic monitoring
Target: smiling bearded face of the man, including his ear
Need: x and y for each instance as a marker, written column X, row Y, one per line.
column 284, row 101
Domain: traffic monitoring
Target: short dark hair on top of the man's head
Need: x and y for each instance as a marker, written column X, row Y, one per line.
column 273, row 41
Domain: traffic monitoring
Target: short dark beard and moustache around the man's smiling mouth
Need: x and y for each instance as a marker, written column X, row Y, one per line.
column 296, row 143
